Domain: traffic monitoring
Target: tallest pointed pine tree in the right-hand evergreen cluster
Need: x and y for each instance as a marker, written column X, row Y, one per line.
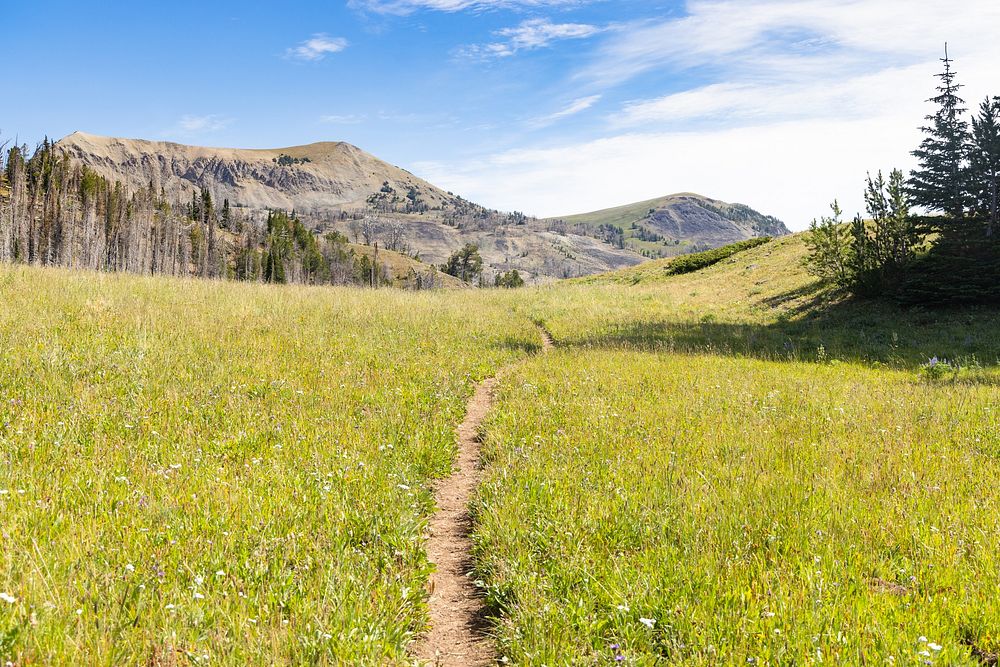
column 939, row 182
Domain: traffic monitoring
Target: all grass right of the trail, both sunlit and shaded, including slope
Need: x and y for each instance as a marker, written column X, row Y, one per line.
column 736, row 466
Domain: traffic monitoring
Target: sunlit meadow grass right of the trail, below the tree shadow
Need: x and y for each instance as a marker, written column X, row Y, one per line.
column 751, row 512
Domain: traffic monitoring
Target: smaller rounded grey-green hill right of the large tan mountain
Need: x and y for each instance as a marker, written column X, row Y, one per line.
column 676, row 224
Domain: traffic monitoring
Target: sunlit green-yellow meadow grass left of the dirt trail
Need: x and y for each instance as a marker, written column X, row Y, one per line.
column 206, row 472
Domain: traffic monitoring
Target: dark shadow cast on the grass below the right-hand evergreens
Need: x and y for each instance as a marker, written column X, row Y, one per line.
column 819, row 330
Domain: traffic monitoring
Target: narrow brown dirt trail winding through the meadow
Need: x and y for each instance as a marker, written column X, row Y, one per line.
column 459, row 630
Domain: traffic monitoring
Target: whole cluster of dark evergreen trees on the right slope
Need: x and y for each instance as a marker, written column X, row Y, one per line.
column 931, row 238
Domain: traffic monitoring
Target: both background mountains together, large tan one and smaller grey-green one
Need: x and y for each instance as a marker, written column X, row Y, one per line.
column 337, row 186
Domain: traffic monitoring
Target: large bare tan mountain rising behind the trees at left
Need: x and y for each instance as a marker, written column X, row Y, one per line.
column 334, row 184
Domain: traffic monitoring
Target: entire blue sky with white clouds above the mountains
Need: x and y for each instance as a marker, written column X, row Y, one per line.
column 547, row 106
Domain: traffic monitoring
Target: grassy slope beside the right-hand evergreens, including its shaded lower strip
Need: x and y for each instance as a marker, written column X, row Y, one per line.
column 759, row 303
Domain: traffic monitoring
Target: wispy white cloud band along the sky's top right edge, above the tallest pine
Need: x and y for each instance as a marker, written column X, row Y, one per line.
column 822, row 36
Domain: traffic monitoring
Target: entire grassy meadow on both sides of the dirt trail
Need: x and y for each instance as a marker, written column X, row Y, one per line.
column 732, row 466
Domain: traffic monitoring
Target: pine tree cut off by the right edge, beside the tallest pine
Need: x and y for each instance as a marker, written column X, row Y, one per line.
column 984, row 162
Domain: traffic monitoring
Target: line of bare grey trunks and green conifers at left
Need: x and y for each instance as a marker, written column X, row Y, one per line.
column 54, row 212
